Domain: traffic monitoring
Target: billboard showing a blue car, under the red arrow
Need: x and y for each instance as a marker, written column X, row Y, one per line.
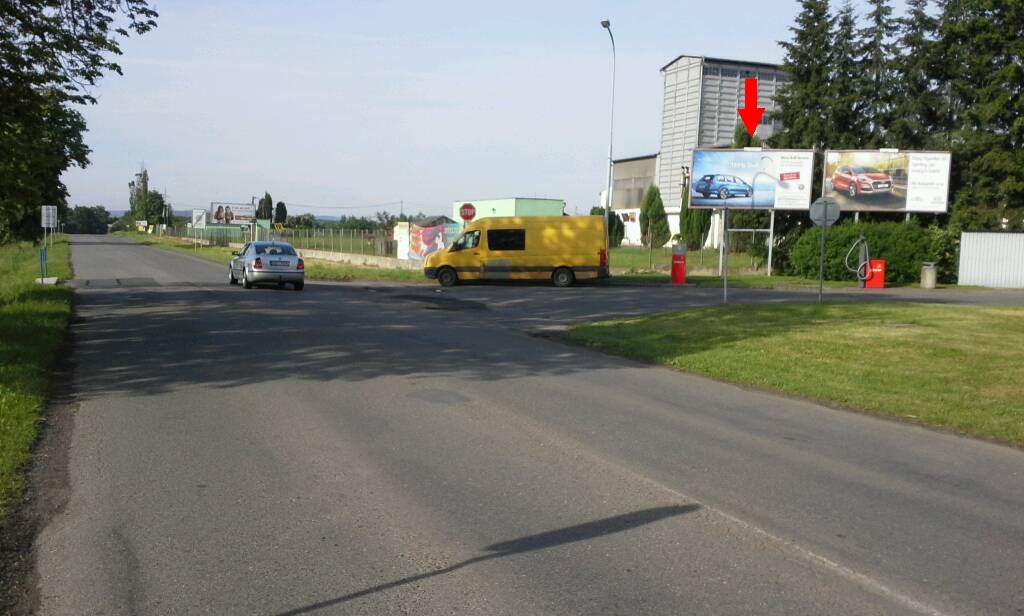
column 752, row 180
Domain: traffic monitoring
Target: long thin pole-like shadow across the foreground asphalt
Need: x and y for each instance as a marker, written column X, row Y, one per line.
column 553, row 539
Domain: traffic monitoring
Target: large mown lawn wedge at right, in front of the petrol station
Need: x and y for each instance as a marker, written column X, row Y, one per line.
column 957, row 368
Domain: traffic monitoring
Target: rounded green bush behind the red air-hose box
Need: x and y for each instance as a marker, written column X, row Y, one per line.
column 905, row 247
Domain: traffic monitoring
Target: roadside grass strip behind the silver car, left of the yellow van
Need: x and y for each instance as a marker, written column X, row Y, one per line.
column 316, row 270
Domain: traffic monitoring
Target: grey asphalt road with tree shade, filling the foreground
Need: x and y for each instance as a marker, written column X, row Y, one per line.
column 390, row 450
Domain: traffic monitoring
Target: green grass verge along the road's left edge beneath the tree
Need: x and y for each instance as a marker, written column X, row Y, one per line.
column 33, row 325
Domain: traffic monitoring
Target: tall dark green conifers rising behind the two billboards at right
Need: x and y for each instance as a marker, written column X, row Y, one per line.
column 946, row 76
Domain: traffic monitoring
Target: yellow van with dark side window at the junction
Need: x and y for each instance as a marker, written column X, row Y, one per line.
column 562, row 249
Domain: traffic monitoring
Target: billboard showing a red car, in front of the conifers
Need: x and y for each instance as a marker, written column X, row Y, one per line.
column 887, row 182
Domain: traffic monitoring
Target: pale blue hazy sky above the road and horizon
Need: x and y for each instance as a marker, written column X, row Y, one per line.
column 339, row 108
